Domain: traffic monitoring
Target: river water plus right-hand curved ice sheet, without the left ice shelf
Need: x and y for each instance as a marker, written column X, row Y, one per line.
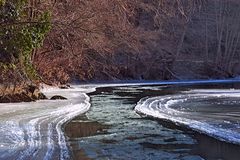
column 159, row 122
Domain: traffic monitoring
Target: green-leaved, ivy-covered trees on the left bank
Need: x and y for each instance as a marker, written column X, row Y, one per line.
column 22, row 30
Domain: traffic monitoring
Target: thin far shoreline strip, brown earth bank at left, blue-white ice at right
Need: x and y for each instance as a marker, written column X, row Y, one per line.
column 31, row 92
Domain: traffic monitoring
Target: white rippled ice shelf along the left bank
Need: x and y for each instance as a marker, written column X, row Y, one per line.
column 34, row 130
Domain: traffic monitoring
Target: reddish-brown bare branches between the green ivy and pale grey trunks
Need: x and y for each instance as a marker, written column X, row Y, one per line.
column 111, row 39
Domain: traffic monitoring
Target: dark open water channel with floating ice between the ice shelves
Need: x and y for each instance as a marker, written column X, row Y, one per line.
column 111, row 129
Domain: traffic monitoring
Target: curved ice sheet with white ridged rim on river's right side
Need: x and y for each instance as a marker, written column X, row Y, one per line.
column 212, row 112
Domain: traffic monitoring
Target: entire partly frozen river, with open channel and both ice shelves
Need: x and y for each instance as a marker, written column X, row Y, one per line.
column 126, row 121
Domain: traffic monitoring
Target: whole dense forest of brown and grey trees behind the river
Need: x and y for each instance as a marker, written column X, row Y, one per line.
column 56, row 42
